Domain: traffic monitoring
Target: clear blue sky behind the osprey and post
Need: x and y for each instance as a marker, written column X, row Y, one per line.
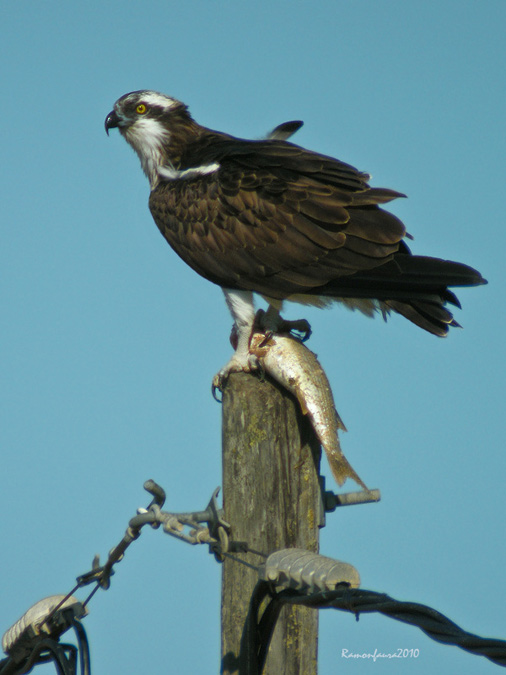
column 109, row 342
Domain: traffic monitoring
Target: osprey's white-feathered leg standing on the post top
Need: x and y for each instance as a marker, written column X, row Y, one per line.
column 242, row 308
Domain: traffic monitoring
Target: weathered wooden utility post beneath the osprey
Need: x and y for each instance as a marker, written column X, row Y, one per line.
column 271, row 498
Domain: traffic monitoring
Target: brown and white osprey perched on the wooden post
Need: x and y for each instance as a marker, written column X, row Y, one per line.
column 270, row 217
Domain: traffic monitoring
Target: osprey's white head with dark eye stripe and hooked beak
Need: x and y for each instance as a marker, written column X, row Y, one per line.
column 153, row 125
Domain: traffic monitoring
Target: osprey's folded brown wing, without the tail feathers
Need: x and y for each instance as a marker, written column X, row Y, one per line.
column 275, row 218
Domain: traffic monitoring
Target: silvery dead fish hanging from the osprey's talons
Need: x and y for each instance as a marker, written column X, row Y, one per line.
column 297, row 369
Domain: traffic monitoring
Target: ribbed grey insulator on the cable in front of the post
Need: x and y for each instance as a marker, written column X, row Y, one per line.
column 306, row 571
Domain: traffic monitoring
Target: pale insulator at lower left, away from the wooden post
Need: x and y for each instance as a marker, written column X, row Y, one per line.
column 21, row 635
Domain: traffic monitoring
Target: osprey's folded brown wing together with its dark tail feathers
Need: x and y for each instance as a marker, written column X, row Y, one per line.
column 282, row 221
